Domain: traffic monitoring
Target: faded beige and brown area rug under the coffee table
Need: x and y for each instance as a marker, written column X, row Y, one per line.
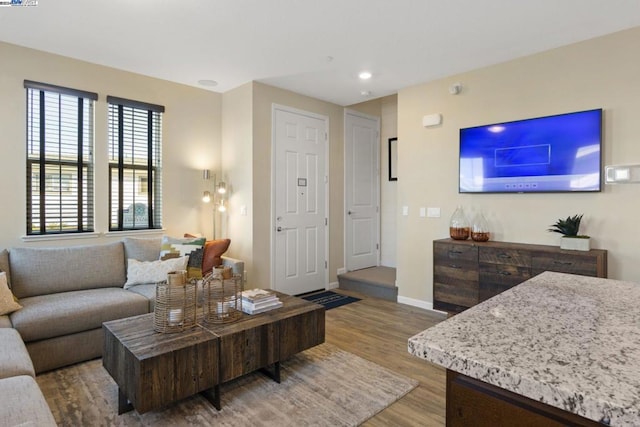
column 323, row 386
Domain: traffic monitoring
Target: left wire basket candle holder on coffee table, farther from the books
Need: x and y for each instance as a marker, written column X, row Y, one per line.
column 175, row 308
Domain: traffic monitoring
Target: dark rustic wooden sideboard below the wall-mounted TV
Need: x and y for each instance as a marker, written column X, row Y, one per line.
column 466, row 273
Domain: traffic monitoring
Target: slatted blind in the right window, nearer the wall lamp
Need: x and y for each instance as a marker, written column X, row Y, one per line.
column 135, row 164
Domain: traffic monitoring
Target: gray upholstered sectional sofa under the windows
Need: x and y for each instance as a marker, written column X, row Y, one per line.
column 66, row 294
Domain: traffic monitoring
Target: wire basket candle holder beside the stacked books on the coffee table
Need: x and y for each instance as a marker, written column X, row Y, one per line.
column 222, row 299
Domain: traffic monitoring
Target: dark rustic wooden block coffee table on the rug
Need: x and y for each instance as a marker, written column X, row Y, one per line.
column 154, row 369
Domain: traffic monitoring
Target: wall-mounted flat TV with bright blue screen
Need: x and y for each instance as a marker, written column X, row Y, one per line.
column 561, row 153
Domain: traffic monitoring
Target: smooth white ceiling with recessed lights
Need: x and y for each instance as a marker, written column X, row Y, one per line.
column 289, row 43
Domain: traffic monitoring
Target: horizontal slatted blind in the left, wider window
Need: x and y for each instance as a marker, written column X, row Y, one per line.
column 59, row 159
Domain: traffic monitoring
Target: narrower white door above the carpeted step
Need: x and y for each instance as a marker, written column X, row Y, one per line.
column 362, row 190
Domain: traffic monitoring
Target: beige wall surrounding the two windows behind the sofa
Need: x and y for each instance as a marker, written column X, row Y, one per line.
column 191, row 139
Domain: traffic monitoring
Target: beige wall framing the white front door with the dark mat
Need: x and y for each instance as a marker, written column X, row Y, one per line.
column 263, row 98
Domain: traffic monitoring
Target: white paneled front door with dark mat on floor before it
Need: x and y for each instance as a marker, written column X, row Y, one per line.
column 300, row 205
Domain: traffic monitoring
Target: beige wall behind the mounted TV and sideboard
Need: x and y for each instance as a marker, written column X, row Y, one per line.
column 601, row 73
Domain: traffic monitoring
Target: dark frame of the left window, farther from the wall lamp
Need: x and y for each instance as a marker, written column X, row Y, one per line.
column 84, row 209
